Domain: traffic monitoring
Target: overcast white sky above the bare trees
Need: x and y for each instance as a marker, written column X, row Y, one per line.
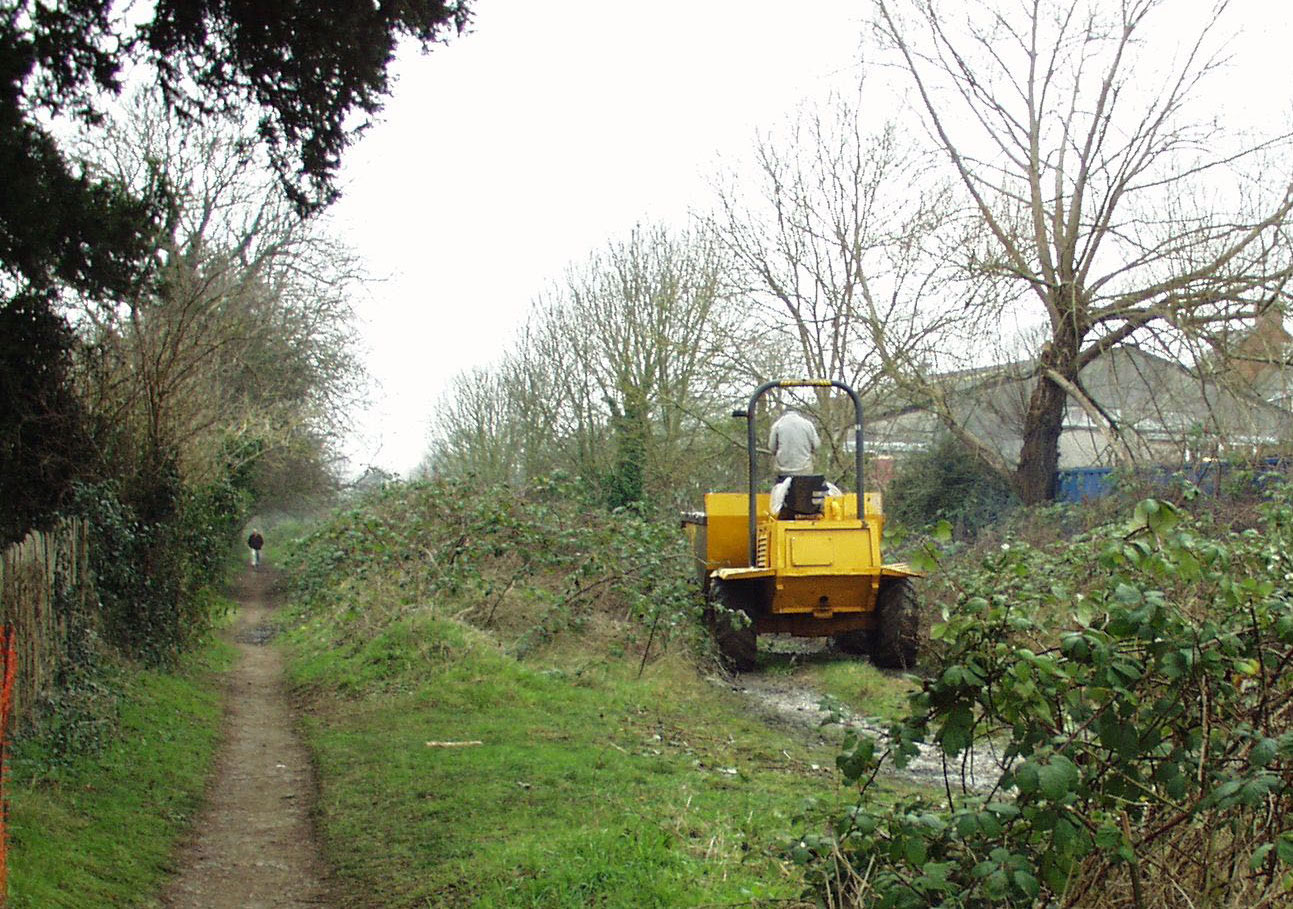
column 553, row 129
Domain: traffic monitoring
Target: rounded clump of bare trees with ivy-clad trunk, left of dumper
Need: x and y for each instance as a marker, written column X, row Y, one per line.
column 615, row 373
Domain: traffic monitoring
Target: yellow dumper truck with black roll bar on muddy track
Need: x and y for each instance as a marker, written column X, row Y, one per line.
column 811, row 570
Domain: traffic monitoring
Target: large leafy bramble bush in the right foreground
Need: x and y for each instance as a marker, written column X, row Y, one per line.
column 1115, row 720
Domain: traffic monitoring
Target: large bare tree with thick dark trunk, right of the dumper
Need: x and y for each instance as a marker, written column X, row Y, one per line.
column 1118, row 217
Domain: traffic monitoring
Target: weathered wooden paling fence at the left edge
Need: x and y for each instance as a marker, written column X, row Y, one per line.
column 41, row 580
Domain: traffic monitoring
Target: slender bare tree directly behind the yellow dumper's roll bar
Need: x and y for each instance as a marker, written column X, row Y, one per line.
column 845, row 249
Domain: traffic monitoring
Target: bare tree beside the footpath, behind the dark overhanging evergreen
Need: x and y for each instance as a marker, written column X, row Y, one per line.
column 245, row 337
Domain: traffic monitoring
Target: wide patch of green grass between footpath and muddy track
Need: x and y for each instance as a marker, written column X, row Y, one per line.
column 590, row 787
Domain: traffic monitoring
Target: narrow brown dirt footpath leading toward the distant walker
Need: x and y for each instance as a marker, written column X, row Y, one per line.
column 254, row 845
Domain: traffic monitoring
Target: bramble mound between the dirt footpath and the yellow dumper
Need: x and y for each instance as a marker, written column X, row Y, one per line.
column 546, row 558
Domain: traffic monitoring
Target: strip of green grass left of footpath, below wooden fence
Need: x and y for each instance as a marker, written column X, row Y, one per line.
column 102, row 829
